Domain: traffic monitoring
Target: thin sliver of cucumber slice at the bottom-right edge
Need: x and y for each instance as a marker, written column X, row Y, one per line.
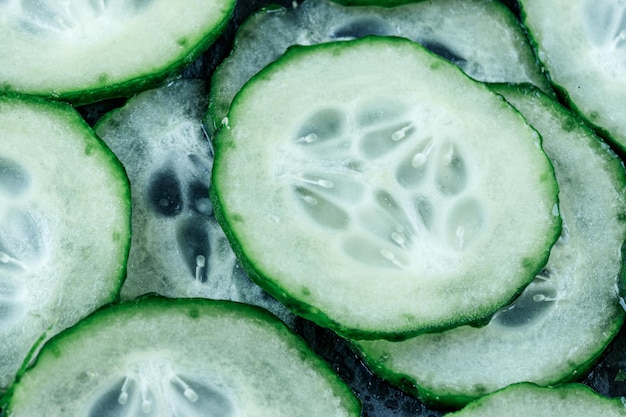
column 572, row 400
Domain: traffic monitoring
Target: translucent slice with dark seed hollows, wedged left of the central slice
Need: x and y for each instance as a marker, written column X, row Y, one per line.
column 178, row 249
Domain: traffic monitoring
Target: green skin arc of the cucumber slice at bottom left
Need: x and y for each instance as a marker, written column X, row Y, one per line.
column 146, row 308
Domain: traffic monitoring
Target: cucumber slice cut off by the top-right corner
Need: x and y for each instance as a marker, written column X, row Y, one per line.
column 583, row 46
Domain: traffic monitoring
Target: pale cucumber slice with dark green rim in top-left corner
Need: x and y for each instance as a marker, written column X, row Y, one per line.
column 84, row 51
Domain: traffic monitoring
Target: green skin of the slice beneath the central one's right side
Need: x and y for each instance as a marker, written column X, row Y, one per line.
column 439, row 398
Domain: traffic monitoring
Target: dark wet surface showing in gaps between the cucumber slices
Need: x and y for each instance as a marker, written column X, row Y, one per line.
column 379, row 399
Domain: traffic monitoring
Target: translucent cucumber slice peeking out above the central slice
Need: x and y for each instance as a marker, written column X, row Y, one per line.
column 481, row 37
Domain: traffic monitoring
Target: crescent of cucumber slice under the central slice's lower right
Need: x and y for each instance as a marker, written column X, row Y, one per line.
column 563, row 321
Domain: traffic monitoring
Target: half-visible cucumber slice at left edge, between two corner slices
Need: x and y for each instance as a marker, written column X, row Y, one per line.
column 64, row 225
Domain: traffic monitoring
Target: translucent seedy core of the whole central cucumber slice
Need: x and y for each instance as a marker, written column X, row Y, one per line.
column 387, row 212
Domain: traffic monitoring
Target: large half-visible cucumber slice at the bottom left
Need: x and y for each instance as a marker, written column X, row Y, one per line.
column 191, row 357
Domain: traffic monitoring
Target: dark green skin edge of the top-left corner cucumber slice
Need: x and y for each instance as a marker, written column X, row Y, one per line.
column 133, row 83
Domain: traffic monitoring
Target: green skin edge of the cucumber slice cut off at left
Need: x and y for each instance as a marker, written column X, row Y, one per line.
column 95, row 148
